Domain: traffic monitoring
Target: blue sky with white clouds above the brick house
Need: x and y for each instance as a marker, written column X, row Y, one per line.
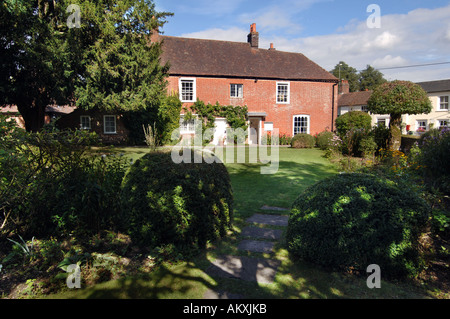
column 327, row 31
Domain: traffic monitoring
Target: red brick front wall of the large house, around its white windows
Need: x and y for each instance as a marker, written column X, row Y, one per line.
column 306, row 98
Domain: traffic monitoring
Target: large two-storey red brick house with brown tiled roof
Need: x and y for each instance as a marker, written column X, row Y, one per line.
column 282, row 90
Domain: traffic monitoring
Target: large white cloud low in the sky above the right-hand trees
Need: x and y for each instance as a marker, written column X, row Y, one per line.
column 417, row 37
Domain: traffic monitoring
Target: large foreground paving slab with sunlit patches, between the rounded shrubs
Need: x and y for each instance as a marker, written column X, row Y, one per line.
column 261, row 270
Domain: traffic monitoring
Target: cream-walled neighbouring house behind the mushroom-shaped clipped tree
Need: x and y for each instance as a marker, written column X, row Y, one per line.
column 438, row 92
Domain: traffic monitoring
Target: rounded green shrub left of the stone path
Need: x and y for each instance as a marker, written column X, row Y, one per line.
column 183, row 204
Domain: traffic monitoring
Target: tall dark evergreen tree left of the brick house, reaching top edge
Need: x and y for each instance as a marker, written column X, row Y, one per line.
column 106, row 63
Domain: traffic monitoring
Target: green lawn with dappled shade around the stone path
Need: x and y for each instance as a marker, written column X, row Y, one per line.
column 298, row 169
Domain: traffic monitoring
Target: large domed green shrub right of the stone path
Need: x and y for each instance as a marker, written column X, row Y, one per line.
column 350, row 221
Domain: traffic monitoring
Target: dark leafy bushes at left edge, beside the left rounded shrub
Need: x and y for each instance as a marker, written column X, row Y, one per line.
column 52, row 186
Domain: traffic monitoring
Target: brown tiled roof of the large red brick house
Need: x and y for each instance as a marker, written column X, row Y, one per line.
column 197, row 57
